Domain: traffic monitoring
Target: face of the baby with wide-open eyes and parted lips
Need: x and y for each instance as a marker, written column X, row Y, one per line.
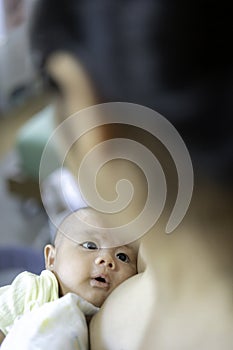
column 84, row 268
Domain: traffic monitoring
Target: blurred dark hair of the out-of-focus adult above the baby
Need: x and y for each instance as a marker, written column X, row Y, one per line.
column 172, row 56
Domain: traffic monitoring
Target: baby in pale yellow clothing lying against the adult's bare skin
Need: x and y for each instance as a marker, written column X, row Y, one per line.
column 82, row 269
